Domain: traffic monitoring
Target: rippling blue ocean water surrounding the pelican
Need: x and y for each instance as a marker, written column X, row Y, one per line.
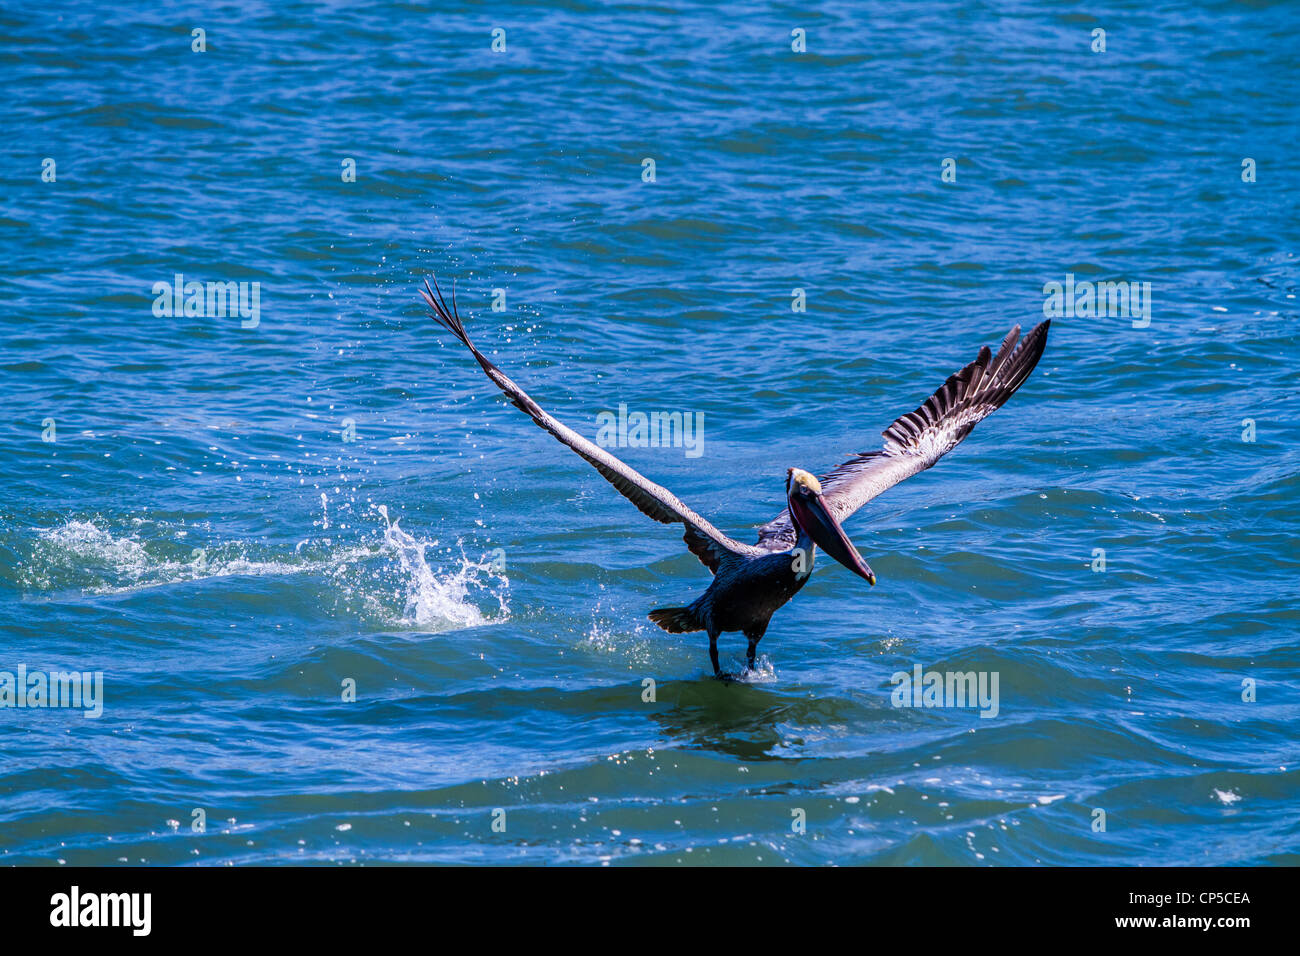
column 242, row 520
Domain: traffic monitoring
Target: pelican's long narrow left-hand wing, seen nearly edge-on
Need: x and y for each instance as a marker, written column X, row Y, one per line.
column 705, row 542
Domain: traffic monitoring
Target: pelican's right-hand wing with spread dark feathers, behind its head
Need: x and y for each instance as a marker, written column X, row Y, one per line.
column 922, row 438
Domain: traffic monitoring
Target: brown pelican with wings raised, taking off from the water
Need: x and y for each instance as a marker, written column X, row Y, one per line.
column 752, row 582
